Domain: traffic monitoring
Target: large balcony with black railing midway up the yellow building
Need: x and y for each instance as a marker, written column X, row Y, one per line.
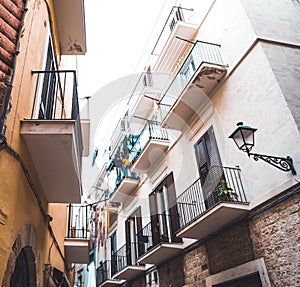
column 53, row 135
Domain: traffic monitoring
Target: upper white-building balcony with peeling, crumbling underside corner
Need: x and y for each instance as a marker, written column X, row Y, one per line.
column 190, row 91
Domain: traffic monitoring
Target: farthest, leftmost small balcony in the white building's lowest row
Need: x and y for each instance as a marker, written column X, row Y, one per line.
column 103, row 276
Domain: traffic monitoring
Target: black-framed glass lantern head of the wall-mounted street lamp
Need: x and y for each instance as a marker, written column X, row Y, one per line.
column 243, row 137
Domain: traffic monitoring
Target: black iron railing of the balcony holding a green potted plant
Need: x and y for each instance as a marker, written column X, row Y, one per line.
column 221, row 184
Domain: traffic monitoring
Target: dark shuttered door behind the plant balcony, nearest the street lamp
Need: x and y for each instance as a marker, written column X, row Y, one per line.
column 210, row 166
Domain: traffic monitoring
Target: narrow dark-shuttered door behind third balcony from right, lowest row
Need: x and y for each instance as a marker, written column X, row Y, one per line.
column 133, row 249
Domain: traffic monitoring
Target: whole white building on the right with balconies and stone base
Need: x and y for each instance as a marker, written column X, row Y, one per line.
column 185, row 206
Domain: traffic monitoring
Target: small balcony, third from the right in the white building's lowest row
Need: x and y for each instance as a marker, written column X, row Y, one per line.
column 124, row 265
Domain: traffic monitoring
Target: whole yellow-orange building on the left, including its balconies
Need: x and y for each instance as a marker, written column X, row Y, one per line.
column 41, row 143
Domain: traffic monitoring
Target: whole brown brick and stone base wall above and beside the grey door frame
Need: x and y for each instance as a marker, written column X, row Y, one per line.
column 272, row 235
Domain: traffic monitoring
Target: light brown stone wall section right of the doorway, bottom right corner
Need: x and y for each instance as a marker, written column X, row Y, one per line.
column 276, row 237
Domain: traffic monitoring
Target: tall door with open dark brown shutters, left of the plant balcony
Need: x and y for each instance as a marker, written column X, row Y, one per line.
column 164, row 215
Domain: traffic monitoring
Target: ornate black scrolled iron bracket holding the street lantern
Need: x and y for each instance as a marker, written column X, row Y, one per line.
column 282, row 163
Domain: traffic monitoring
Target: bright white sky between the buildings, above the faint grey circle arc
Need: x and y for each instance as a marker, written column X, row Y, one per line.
column 117, row 34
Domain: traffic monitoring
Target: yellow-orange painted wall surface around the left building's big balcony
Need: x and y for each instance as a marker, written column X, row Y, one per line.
column 18, row 204
